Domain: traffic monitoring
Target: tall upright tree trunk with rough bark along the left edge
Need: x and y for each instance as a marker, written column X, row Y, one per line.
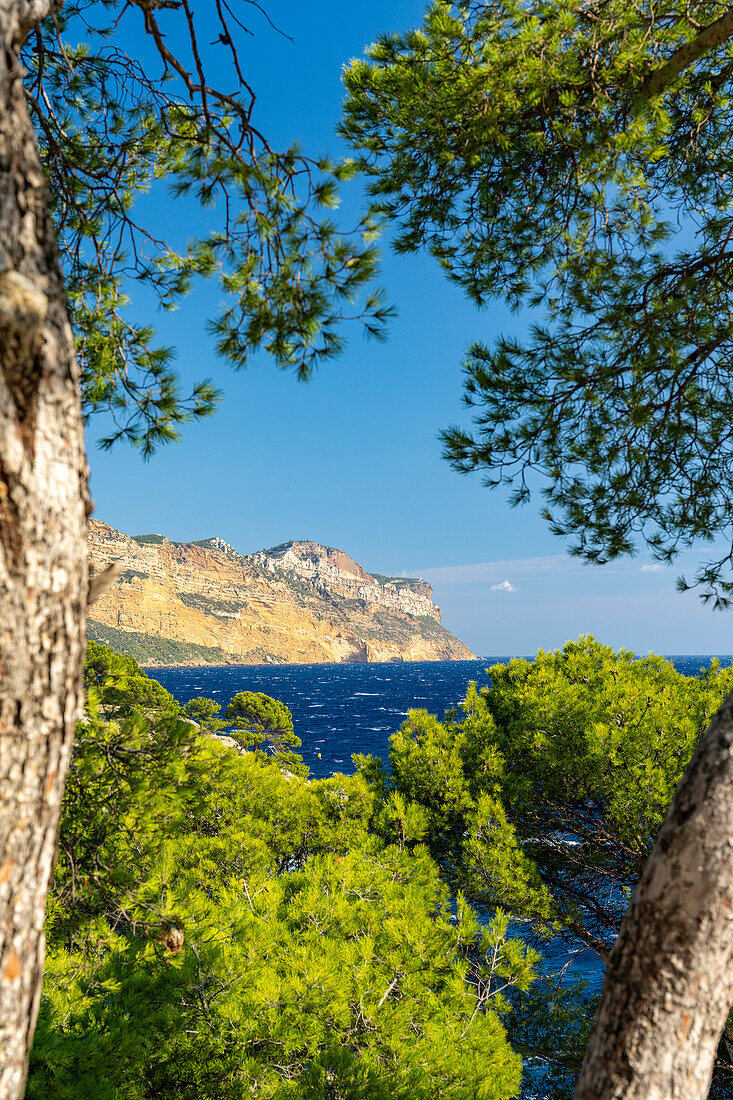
column 43, row 582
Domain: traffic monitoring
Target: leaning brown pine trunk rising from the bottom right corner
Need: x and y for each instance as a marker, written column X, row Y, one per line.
column 670, row 982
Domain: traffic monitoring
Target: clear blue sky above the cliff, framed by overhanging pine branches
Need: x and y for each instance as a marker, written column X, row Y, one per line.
column 353, row 459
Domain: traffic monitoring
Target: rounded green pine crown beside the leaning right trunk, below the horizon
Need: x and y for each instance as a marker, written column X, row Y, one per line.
column 594, row 745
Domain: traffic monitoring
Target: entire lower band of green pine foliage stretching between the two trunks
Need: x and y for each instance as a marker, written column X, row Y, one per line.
column 221, row 927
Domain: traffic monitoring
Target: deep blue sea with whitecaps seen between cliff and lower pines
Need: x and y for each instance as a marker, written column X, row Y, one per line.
column 344, row 709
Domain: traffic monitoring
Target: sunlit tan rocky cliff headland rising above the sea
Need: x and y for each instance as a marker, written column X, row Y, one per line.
column 201, row 603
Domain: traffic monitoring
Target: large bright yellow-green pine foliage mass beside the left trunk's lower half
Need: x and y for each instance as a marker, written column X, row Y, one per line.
column 220, row 929
